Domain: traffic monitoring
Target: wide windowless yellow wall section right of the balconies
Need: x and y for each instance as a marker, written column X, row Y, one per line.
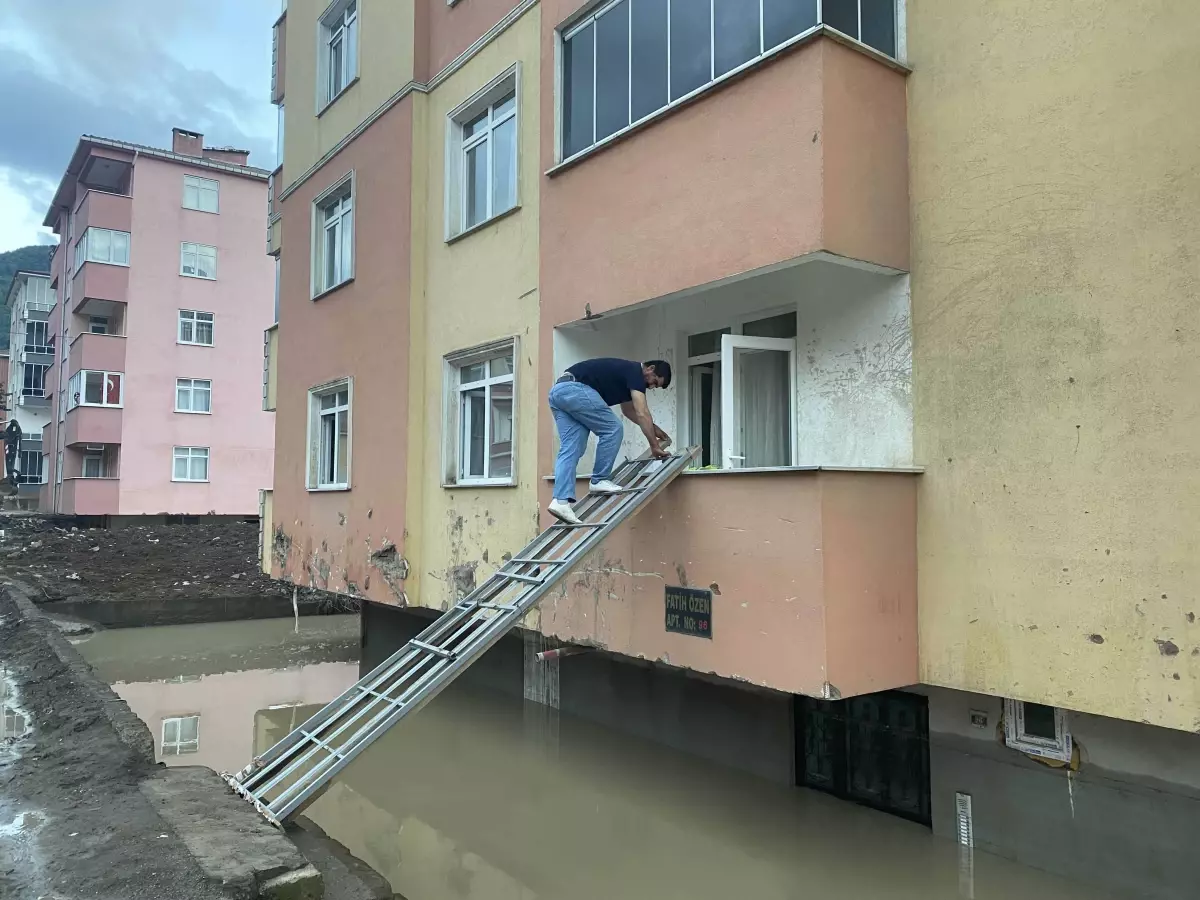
column 1057, row 201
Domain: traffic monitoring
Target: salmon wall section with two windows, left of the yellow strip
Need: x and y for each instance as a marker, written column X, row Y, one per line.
column 359, row 331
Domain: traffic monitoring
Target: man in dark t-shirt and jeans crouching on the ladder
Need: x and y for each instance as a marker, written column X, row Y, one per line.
column 580, row 403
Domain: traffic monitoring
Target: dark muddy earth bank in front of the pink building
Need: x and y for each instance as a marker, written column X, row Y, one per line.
column 187, row 561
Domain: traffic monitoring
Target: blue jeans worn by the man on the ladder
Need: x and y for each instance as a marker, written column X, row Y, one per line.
column 579, row 411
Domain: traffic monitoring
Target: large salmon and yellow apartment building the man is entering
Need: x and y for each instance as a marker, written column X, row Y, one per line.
column 929, row 301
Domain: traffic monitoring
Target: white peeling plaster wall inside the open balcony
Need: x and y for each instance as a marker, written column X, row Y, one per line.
column 854, row 358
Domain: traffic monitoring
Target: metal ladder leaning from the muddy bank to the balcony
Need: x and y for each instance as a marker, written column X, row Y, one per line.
column 295, row 772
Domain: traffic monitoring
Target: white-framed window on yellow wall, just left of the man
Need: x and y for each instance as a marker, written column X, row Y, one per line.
column 479, row 410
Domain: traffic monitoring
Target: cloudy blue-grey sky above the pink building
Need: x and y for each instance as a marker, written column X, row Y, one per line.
column 130, row 70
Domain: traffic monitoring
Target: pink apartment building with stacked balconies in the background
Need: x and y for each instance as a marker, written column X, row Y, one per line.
column 155, row 389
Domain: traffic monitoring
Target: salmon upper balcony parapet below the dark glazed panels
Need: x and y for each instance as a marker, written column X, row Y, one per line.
column 801, row 153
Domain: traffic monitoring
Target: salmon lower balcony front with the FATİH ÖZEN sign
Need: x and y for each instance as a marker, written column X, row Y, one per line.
column 813, row 575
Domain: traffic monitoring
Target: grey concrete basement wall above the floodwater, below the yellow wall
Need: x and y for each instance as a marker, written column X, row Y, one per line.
column 1127, row 821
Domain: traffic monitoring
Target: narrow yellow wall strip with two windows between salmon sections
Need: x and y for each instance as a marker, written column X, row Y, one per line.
column 477, row 290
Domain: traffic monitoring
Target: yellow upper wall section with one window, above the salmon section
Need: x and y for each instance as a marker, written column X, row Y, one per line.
column 386, row 65
